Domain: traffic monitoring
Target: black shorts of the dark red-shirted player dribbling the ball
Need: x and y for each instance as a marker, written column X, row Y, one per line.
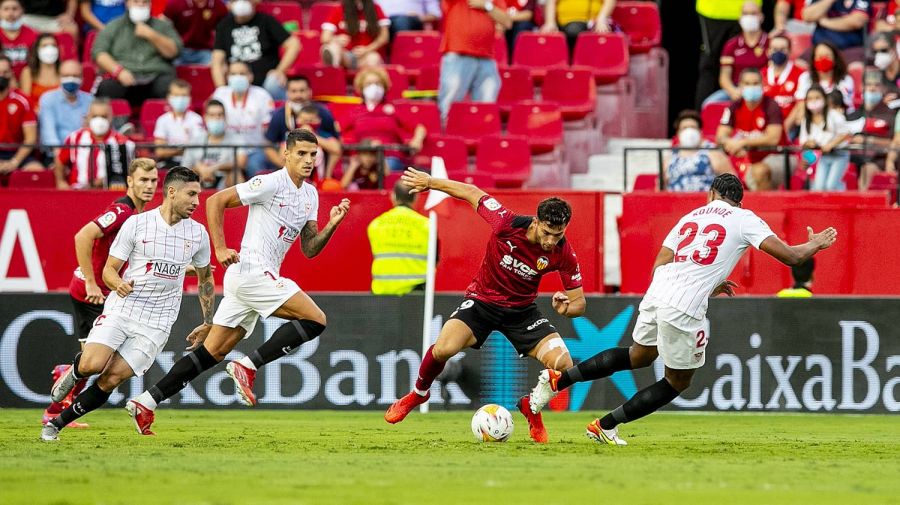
column 524, row 327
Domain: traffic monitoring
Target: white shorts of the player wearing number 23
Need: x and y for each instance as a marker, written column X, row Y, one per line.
column 680, row 339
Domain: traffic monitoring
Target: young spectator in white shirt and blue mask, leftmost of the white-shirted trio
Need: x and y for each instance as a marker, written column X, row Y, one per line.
column 177, row 126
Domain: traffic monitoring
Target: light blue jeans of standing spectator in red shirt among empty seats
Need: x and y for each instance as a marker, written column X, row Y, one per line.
column 462, row 75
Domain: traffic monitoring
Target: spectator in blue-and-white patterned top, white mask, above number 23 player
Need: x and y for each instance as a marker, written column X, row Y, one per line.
column 695, row 161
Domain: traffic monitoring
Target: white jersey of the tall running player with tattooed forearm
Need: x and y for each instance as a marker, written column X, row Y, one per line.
column 278, row 212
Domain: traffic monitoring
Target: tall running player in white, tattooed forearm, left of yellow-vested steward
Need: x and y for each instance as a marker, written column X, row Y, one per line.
column 283, row 207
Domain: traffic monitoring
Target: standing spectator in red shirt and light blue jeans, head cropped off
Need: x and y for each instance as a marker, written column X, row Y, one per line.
column 467, row 65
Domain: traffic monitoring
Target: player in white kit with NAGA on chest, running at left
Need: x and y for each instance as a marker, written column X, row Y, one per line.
column 137, row 318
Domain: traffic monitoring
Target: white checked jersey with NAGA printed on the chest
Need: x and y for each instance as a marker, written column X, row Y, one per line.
column 157, row 256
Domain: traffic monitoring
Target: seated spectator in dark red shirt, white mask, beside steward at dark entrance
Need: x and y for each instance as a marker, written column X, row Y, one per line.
column 747, row 50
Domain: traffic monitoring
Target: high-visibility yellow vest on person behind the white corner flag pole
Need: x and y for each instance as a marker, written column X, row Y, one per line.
column 399, row 240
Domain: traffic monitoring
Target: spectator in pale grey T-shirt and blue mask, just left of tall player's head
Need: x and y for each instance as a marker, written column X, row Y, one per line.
column 217, row 166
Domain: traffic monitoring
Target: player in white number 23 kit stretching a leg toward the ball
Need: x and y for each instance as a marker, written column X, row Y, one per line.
column 693, row 264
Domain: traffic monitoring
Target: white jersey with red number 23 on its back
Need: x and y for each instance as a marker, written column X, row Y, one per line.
column 708, row 242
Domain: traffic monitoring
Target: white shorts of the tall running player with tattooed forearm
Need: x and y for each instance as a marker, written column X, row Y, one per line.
column 251, row 295
